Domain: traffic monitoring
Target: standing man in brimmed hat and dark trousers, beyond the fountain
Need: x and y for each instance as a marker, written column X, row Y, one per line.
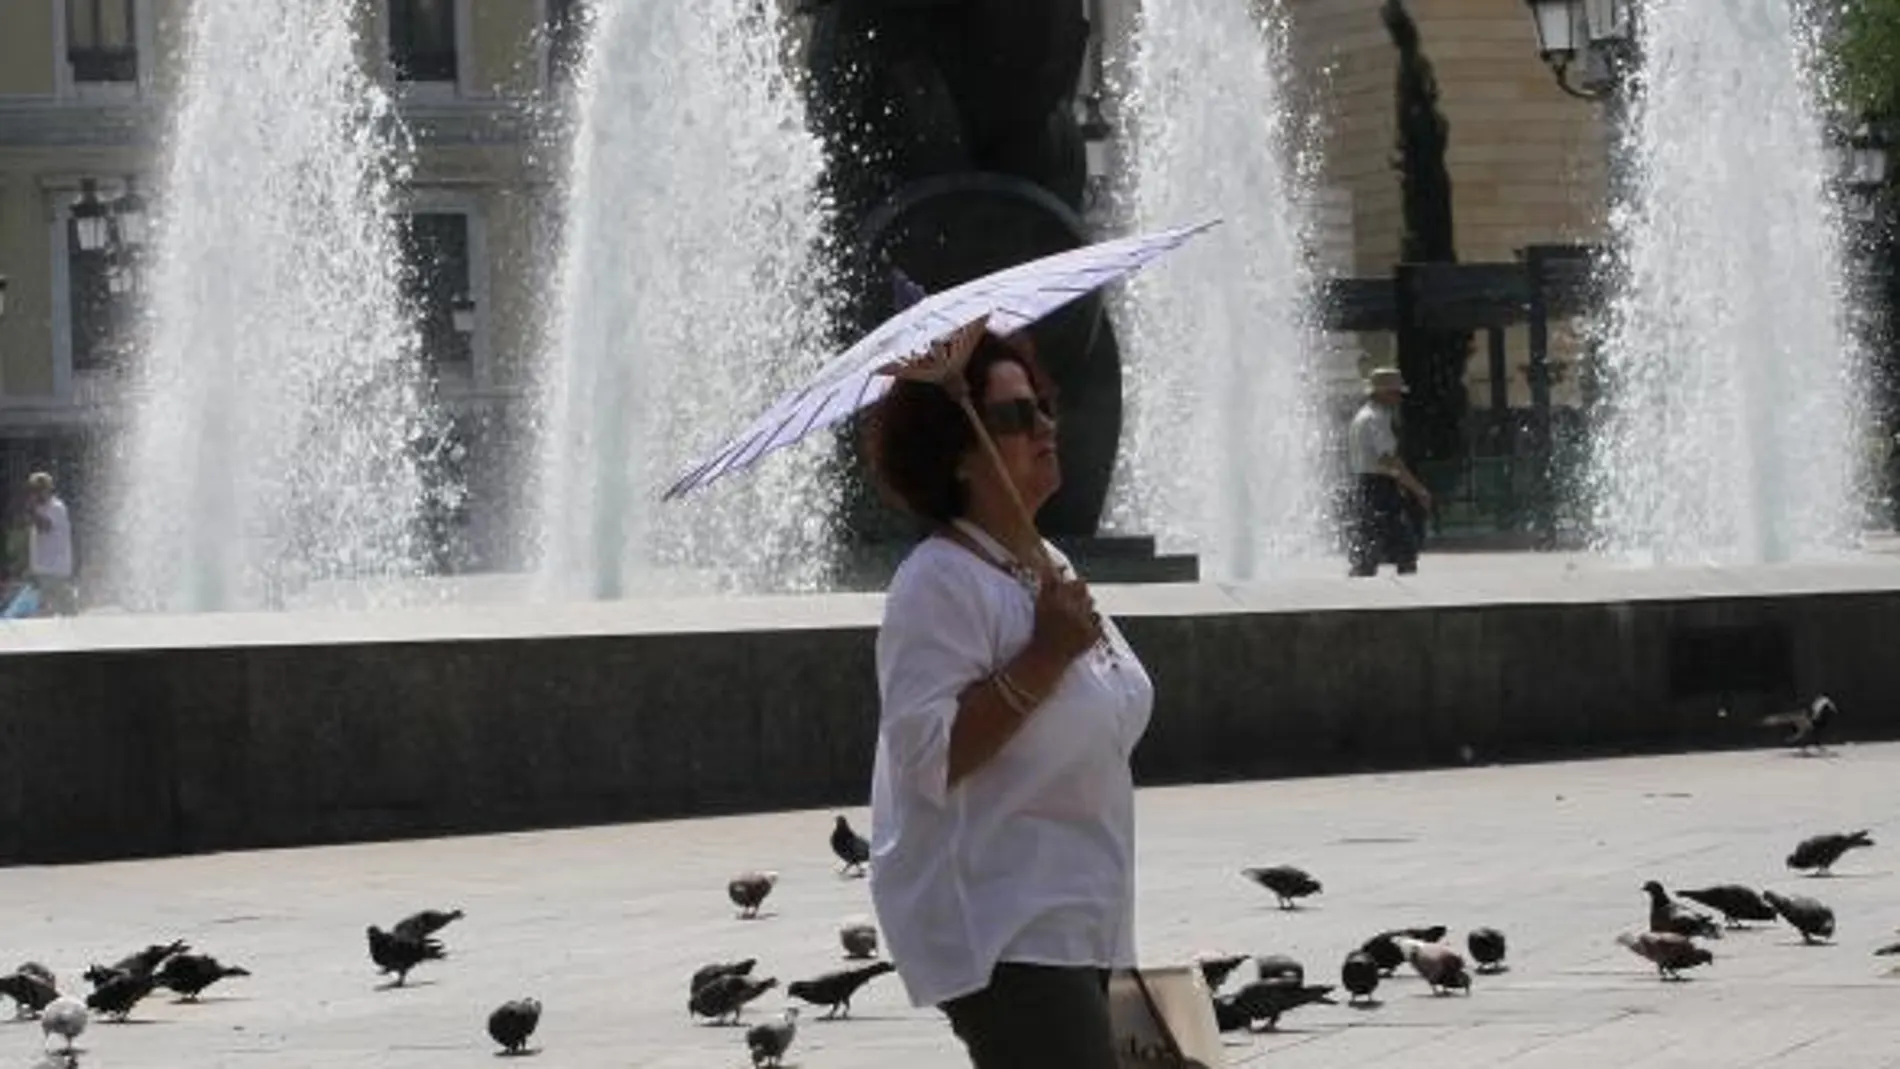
column 1380, row 481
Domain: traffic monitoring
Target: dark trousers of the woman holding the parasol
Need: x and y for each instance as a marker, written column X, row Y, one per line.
column 1036, row 1017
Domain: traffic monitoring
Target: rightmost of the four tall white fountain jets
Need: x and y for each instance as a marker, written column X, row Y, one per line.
column 1732, row 430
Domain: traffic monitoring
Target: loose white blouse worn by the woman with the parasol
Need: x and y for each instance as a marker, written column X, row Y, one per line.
column 1029, row 859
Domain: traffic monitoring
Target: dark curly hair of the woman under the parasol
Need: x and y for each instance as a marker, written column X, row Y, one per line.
column 917, row 436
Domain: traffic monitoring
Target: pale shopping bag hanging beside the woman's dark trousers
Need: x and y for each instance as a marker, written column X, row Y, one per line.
column 1164, row 1019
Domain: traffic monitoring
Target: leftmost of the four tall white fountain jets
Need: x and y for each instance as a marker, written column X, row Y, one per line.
column 278, row 405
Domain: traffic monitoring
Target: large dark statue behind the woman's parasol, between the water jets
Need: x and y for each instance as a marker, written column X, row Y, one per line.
column 953, row 153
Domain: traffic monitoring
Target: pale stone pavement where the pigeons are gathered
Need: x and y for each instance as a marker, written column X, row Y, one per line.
column 607, row 924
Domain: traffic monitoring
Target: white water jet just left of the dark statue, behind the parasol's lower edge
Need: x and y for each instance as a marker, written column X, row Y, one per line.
column 691, row 293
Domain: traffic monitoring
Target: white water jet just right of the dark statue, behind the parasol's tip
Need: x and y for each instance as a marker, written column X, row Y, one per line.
column 1226, row 447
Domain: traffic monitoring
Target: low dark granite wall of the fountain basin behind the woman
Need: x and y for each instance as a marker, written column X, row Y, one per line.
column 128, row 753
